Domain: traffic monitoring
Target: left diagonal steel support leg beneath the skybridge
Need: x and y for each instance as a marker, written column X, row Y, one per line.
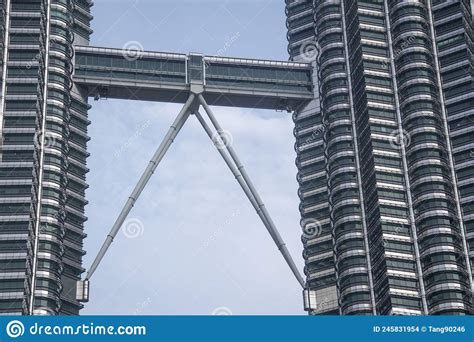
column 157, row 157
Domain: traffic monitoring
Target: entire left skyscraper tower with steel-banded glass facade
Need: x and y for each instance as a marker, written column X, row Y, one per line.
column 42, row 155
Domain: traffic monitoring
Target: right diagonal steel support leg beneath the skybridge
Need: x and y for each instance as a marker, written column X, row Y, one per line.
column 267, row 220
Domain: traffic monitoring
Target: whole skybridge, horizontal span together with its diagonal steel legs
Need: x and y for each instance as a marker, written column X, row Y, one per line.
column 197, row 82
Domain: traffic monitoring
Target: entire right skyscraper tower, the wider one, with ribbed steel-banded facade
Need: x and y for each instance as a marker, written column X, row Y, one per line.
column 384, row 155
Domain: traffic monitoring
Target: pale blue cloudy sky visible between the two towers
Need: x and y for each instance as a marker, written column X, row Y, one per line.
column 193, row 244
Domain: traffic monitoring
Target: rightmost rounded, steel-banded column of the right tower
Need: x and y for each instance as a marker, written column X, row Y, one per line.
column 432, row 182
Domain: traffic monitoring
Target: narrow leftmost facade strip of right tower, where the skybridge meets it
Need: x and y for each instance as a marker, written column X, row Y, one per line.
column 312, row 178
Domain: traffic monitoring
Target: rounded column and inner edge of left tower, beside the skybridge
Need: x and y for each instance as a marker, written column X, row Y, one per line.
column 61, row 155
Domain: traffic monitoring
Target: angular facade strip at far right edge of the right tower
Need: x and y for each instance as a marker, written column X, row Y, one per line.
column 453, row 26
